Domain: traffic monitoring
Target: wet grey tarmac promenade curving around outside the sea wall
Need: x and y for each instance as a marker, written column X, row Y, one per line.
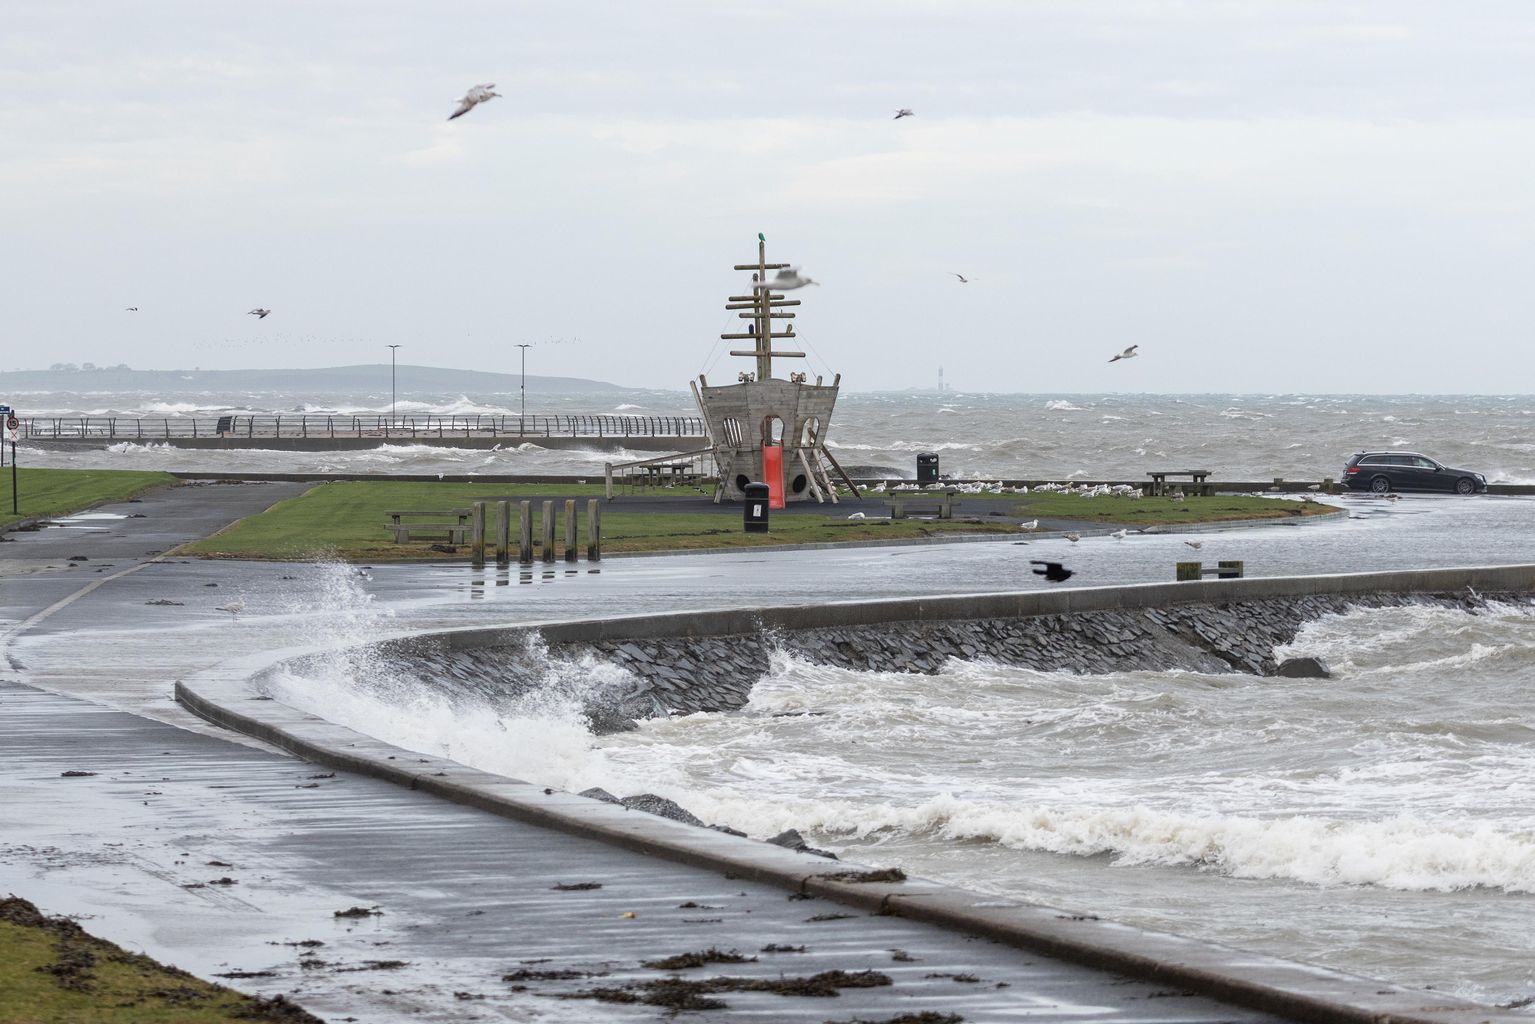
column 119, row 630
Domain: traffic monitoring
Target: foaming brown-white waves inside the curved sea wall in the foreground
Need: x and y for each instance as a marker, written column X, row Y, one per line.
column 1381, row 822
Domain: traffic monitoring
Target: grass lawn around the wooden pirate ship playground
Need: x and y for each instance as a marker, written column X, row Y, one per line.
column 348, row 520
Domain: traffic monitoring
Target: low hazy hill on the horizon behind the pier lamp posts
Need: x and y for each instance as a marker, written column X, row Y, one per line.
column 294, row 382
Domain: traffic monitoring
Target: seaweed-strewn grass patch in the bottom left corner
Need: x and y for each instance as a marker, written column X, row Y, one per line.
column 51, row 971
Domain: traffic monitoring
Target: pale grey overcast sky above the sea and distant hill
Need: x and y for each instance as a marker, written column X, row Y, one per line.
column 1266, row 197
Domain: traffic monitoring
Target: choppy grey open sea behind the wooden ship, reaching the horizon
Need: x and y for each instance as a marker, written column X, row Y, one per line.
column 1032, row 437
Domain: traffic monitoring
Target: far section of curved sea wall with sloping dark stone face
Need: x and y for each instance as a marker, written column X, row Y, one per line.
column 690, row 662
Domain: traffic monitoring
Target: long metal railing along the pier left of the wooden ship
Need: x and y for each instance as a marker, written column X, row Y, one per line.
column 320, row 426
